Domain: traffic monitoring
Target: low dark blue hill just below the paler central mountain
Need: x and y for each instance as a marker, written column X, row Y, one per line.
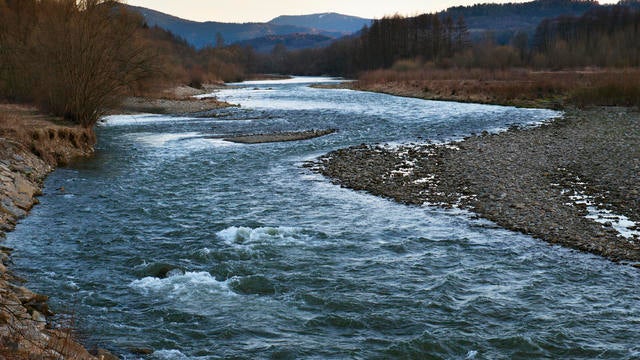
column 290, row 41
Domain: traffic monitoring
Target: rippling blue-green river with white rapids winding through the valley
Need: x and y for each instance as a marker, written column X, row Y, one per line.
column 173, row 240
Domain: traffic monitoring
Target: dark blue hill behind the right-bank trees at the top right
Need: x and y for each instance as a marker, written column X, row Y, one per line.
column 504, row 20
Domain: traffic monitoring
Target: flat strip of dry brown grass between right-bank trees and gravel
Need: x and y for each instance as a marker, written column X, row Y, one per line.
column 520, row 87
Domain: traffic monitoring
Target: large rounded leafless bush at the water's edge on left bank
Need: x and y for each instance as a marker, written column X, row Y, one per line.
column 92, row 55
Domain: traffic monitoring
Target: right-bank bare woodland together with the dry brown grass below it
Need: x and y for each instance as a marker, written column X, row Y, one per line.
column 588, row 60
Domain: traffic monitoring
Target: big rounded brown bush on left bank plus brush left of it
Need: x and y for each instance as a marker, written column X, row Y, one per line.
column 74, row 59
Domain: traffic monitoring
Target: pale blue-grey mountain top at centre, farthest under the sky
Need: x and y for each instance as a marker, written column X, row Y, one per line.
column 331, row 22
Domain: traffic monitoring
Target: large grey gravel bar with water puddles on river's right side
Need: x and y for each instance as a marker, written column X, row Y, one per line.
column 563, row 182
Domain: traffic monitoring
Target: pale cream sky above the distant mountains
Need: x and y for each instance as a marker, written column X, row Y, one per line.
column 265, row 10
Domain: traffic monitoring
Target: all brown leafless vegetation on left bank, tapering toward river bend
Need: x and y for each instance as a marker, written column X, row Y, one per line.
column 79, row 59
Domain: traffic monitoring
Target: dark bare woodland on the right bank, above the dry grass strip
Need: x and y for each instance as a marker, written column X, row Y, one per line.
column 603, row 36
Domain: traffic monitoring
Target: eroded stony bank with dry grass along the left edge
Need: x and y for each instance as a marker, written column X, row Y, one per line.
column 31, row 146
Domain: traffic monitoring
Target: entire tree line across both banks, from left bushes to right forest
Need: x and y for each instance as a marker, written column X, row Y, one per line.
column 79, row 58
